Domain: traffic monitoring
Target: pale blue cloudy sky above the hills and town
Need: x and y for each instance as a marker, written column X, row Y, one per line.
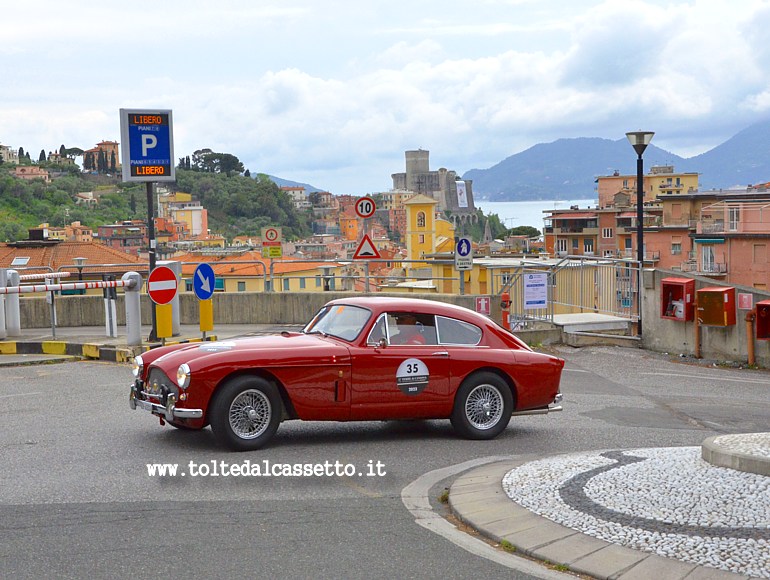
column 332, row 93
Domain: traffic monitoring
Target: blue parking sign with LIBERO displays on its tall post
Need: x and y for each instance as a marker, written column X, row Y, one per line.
column 147, row 147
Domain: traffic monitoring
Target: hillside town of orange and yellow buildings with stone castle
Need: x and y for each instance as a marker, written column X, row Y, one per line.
column 719, row 234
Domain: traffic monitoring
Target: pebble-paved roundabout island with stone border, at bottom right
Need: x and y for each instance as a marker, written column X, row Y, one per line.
column 616, row 514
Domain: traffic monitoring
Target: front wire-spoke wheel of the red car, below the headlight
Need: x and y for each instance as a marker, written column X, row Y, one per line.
column 245, row 413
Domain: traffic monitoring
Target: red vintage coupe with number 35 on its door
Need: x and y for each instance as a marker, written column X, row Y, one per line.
column 358, row 359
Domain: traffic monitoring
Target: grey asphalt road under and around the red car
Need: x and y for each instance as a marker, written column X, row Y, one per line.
column 76, row 499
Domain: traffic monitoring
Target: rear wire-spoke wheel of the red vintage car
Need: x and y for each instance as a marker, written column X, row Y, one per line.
column 483, row 406
